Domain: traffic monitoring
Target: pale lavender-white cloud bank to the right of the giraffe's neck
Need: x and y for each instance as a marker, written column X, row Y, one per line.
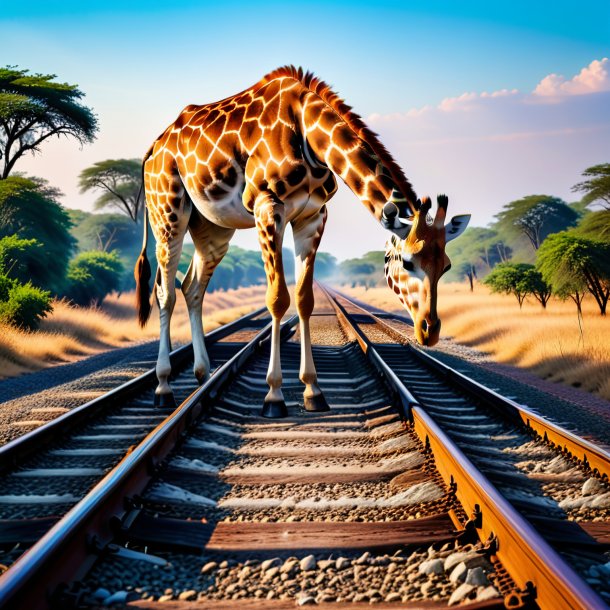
column 486, row 149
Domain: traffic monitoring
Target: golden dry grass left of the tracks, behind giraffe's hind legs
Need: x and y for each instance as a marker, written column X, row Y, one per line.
column 70, row 333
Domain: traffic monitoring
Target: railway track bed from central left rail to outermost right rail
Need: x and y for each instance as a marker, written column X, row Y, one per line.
column 383, row 500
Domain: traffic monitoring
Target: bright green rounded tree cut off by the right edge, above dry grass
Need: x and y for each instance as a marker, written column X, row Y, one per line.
column 571, row 264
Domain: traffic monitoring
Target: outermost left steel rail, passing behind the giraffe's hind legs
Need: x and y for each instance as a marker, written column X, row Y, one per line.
column 13, row 452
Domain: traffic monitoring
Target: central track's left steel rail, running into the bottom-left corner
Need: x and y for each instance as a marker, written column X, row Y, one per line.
column 39, row 579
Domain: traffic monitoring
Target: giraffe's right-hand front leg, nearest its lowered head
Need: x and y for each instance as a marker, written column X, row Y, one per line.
column 307, row 235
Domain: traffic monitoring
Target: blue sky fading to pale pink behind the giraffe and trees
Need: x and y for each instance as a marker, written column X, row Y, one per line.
column 139, row 63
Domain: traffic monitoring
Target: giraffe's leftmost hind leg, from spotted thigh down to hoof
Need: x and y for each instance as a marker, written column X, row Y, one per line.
column 169, row 213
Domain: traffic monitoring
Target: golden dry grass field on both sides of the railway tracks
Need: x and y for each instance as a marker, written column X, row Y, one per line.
column 549, row 343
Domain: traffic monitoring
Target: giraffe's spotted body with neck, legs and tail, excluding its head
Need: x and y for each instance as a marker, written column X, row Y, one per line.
column 263, row 158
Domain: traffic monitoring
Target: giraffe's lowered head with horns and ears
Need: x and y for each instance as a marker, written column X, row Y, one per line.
column 415, row 260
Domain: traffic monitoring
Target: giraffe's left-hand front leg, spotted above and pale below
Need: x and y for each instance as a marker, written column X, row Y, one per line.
column 270, row 224
